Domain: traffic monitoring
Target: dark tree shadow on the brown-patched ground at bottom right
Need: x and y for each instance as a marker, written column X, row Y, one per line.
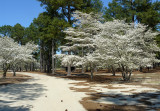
column 148, row 101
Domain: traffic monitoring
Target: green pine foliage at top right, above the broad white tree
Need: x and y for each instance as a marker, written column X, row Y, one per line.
column 143, row 11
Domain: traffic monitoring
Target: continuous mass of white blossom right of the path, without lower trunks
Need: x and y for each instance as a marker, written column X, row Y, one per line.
column 114, row 43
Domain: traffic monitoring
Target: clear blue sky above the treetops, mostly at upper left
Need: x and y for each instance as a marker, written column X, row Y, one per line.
column 22, row 11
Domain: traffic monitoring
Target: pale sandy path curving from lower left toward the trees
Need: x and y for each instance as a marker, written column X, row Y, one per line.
column 42, row 93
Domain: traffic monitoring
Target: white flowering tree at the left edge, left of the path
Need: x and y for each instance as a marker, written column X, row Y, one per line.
column 12, row 54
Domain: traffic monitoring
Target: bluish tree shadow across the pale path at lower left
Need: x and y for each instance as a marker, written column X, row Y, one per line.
column 13, row 93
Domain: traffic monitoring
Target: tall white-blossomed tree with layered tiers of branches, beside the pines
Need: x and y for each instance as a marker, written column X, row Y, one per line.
column 80, row 40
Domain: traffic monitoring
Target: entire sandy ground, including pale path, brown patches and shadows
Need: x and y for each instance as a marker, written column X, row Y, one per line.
column 46, row 93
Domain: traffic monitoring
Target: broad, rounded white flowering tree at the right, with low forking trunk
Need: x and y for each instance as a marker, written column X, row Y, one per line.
column 127, row 46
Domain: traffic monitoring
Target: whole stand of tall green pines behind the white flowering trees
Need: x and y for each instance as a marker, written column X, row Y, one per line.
column 48, row 31
